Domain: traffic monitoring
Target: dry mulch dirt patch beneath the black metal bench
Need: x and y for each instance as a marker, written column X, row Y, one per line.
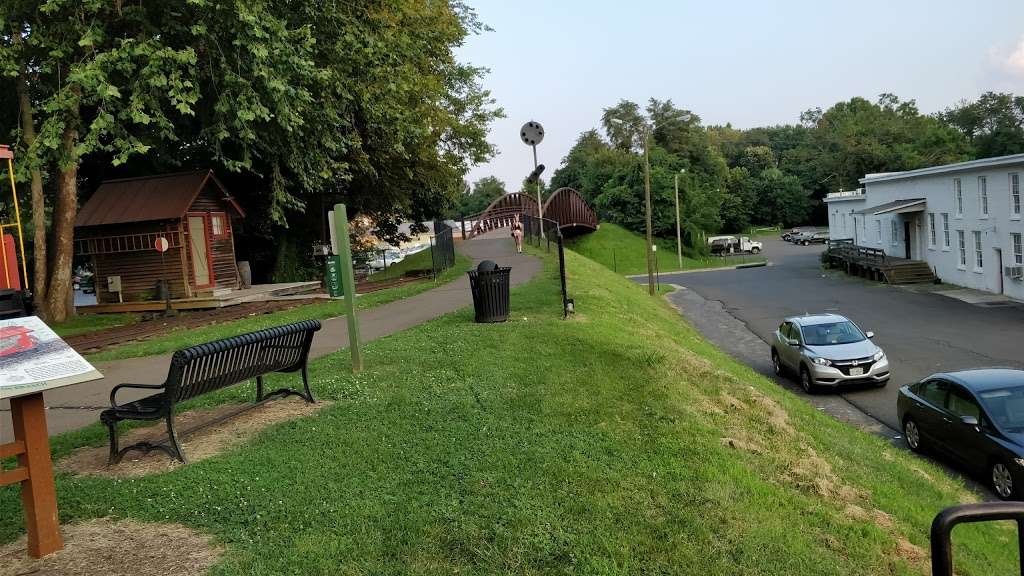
column 200, row 445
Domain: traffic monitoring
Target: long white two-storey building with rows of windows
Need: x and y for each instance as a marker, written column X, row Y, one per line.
column 964, row 220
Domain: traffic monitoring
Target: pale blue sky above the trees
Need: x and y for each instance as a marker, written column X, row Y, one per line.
column 747, row 63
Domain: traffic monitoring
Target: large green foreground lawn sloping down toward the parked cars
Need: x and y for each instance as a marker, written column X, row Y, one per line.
column 617, row 442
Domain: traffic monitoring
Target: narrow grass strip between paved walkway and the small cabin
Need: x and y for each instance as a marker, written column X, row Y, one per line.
column 321, row 311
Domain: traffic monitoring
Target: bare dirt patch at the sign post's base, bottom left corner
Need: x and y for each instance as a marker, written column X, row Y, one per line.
column 117, row 548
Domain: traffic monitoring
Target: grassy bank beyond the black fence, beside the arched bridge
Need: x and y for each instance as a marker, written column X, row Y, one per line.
column 624, row 252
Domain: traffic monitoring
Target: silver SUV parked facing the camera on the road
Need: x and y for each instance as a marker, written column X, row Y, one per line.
column 828, row 350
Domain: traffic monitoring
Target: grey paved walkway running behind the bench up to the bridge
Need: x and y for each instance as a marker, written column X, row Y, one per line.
column 77, row 406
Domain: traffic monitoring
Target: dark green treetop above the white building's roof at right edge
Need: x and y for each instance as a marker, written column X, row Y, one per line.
column 995, row 124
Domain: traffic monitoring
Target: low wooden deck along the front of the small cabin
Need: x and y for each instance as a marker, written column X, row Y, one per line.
column 216, row 299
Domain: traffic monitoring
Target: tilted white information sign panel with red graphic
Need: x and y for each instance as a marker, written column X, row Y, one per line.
column 34, row 359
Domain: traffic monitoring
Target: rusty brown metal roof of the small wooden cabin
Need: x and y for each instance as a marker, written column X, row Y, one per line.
column 148, row 198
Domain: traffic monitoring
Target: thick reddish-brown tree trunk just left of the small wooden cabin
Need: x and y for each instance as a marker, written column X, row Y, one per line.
column 60, row 295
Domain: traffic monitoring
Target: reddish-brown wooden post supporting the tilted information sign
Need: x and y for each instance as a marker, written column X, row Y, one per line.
column 35, row 473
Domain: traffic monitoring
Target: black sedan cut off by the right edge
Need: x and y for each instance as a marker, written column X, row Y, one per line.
column 976, row 418
